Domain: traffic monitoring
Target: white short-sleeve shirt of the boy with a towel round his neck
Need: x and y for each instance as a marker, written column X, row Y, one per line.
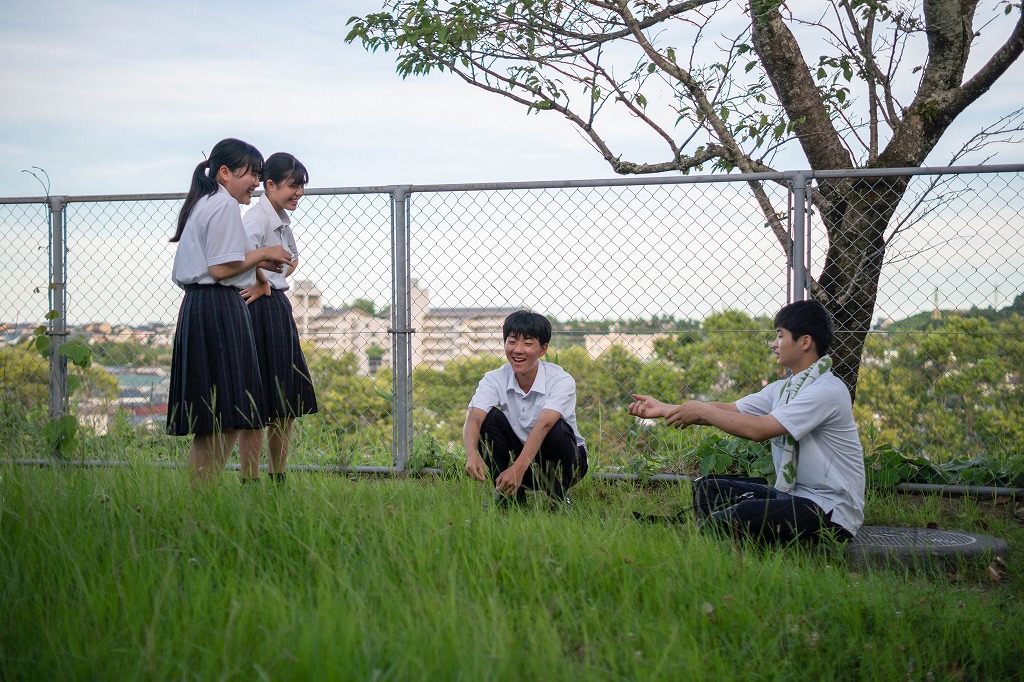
column 831, row 466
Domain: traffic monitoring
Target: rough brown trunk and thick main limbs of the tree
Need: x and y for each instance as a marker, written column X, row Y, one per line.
column 857, row 212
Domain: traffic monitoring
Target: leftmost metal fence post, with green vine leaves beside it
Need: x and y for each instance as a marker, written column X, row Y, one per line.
column 59, row 303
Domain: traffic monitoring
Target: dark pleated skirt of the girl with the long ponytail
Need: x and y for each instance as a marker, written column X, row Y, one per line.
column 216, row 379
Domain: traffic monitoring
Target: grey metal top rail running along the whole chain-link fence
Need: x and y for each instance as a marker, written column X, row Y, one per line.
column 402, row 190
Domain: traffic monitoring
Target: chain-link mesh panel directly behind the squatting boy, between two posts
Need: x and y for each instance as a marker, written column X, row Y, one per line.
column 648, row 288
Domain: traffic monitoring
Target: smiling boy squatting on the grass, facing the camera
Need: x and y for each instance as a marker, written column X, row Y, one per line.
column 521, row 427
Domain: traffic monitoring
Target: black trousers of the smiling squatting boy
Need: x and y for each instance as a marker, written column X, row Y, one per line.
column 559, row 466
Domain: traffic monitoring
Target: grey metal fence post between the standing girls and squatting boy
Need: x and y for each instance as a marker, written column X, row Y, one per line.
column 402, row 348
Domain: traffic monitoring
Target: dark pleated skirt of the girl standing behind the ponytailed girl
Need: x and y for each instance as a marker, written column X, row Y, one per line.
column 286, row 377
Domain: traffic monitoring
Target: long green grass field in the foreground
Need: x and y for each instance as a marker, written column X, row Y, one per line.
column 131, row 574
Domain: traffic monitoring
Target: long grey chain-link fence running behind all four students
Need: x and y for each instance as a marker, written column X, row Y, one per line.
column 665, row 287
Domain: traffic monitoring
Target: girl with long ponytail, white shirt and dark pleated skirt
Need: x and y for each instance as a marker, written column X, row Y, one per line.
column 217, row 389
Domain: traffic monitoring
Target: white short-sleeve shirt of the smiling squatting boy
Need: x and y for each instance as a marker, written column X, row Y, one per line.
column 553, row 390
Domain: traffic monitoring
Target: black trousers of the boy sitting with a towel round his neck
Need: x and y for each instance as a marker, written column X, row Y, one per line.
column 757, row 510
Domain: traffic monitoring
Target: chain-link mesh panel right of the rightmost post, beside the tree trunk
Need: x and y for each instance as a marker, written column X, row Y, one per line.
column 942, row 369
